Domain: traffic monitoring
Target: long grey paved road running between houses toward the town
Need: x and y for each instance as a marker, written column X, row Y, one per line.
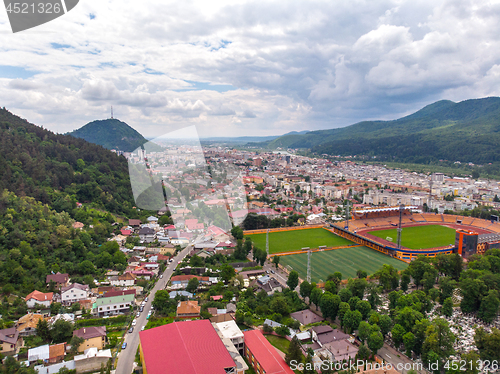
column 126, row 357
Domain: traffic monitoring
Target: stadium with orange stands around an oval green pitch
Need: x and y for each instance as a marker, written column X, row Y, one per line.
column 426, row 234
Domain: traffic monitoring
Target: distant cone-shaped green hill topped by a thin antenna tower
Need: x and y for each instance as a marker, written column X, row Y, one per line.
column 111, row 134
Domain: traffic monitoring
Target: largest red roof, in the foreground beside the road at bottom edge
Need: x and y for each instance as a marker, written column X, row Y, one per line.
column 191, row 347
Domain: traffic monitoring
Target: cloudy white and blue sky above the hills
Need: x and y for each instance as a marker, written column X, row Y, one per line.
column 235, row 68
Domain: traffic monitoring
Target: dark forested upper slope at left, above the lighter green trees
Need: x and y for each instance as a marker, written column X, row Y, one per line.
column 60, row 170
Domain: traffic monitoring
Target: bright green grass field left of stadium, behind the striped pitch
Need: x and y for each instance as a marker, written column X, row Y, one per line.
column 284, row 241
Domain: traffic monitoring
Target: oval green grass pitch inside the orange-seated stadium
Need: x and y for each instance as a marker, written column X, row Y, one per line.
column 420, row 237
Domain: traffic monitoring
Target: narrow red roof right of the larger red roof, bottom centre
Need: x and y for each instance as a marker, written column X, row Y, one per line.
column 265, row 354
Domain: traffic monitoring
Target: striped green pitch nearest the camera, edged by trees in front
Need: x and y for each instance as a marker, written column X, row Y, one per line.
column 345, row 260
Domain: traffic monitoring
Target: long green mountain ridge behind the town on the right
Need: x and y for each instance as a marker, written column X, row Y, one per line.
column 468, row 131
